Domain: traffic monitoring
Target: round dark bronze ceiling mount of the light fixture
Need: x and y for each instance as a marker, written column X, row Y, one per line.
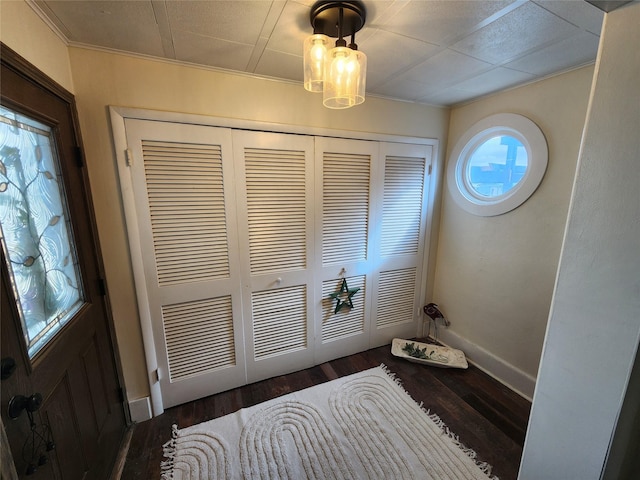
column 325, row 18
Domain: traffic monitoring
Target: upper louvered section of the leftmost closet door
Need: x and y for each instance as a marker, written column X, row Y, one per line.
column 187, row 210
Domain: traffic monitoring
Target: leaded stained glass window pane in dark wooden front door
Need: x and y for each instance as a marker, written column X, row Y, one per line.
column 35, row 230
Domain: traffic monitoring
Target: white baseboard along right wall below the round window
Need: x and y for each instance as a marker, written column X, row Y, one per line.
column 520, row 382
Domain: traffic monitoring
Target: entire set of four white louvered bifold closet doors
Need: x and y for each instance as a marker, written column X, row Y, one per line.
column 263, row 253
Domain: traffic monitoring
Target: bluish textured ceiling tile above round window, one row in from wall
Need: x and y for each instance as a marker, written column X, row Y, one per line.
column 525, row 28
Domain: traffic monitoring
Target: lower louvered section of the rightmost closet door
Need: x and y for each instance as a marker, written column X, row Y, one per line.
column 396, row 292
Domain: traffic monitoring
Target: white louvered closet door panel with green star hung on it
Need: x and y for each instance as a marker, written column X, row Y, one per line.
column 345, row 225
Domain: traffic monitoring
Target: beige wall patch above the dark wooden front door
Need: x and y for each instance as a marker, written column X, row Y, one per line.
column 23, row 31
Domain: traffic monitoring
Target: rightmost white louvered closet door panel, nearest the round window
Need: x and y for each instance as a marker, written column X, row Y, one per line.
column 400, row 241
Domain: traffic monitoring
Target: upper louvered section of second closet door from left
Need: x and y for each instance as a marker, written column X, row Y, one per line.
column 276, row 209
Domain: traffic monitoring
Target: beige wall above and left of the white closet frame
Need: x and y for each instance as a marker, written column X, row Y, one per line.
column 102, row 79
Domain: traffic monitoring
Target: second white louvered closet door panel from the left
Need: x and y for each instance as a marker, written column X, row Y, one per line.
column 275, row 213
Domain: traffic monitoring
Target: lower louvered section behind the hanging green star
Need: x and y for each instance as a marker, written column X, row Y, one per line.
column 346, row 322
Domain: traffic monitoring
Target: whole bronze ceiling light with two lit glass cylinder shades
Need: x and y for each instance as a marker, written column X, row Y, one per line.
column 339, row 72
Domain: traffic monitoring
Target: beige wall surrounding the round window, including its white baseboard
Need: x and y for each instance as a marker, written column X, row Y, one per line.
column 495, row 275
